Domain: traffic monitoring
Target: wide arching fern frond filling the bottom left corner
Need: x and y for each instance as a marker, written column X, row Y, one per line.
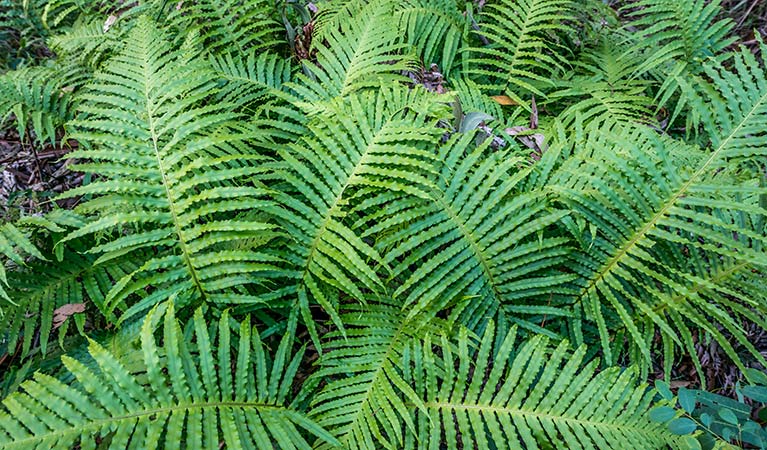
column 200, row 390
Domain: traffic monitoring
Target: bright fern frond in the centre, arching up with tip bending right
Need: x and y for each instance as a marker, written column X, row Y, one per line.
column 377, row 140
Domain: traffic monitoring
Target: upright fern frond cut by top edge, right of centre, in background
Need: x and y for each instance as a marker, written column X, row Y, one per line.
column 521, row 54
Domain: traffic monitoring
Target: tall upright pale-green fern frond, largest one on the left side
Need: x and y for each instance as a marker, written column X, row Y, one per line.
column 154, row 186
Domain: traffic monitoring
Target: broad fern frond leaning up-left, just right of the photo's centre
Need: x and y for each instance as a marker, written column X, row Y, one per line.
column 474, row 235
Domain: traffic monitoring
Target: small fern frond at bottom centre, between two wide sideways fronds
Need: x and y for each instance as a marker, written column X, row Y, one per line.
column 365, row 397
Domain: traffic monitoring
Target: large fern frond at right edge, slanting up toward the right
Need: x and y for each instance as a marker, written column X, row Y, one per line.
column 647, row 230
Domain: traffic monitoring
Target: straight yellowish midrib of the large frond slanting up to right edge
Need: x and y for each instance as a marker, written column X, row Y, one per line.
column 639, row 235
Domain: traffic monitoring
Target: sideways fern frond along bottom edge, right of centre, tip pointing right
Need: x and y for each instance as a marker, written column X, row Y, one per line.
column 542, row 396
